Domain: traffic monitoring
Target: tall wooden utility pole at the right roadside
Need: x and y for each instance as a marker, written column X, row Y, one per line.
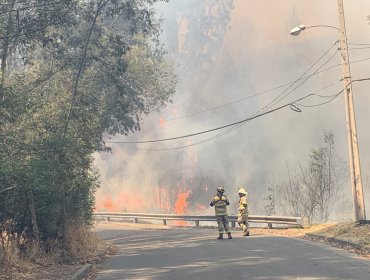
column 354, row 159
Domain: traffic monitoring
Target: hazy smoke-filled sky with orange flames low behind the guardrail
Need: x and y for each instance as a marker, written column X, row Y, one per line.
column 227, row 61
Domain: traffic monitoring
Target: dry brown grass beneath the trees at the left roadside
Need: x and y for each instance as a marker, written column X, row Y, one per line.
column 30, row 262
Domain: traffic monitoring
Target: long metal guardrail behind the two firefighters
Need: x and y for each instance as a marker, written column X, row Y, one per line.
column 111, row 216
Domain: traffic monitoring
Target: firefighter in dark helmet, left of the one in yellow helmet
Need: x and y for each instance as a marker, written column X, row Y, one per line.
column 220, row 201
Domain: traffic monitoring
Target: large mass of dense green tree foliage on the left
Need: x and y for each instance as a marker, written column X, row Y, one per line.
column 84, row 69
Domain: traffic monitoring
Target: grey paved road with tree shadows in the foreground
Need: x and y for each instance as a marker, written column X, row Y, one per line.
column 196, row 254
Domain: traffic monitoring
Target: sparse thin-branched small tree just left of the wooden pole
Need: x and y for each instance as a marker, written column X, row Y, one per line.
column 312, row 189
